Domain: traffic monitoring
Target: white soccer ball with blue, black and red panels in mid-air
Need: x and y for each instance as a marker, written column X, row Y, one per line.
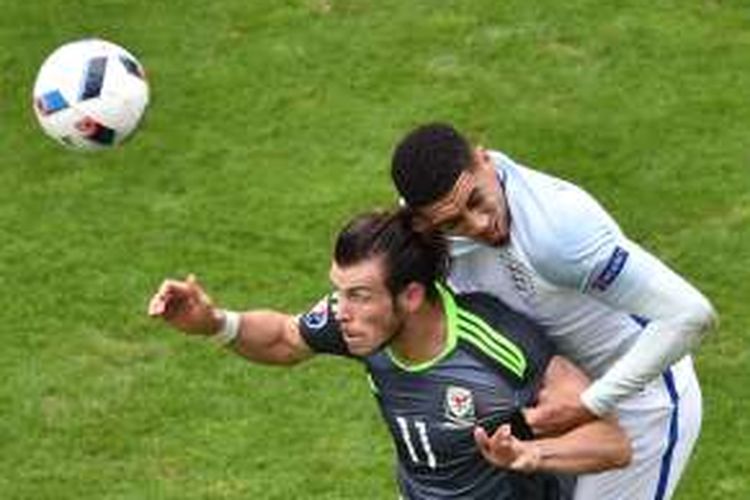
column 90, row 94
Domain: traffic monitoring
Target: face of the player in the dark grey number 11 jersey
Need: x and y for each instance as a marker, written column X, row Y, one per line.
column 365, row 308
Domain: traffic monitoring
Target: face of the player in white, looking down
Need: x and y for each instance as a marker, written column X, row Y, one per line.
column 474, row 208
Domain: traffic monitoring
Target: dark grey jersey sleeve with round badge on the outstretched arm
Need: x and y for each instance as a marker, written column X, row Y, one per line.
column 320, row 330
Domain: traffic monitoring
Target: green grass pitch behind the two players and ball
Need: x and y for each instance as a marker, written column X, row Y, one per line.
column 273, row 121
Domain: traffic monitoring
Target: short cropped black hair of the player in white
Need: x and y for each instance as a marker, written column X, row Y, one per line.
column 427, row 162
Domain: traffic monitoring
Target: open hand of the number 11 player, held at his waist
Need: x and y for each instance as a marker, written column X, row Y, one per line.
column 504, row 450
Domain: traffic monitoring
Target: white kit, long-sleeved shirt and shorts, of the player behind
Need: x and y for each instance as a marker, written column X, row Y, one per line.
column 569, row 267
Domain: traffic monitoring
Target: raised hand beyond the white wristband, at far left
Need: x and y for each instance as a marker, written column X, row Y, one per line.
column 185, row 306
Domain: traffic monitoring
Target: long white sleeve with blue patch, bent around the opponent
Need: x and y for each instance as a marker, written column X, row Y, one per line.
column 587, row 251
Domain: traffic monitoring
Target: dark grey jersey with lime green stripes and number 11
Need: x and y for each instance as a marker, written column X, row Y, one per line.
column 490, row 368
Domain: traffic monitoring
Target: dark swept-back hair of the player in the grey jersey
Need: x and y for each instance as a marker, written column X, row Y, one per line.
column 409, row 256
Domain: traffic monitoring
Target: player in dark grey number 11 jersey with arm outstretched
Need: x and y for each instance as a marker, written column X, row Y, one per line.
column 451, row 373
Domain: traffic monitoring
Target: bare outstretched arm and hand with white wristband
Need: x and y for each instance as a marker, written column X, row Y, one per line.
column 262, row 336
